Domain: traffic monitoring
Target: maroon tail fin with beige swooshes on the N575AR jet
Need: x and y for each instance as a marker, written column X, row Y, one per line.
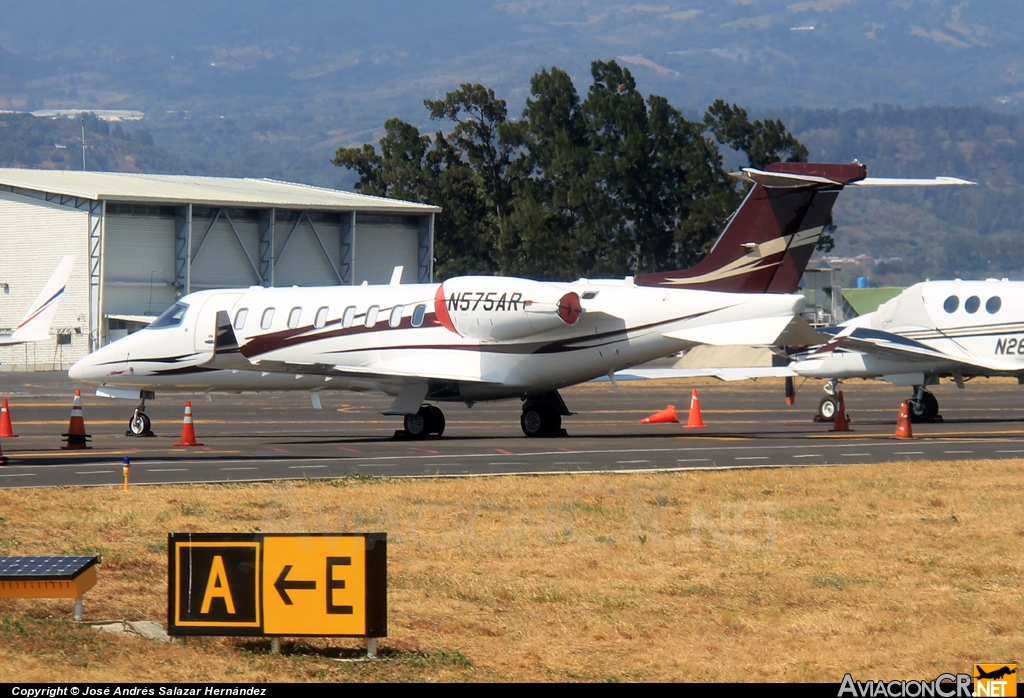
column 770, row 240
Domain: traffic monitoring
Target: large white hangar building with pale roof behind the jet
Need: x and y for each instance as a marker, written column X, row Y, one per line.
column 143, row 241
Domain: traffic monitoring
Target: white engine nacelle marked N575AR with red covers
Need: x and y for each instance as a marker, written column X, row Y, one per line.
column 500, row 309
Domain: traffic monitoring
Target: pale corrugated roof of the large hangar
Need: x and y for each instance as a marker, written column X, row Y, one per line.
column 224, row 192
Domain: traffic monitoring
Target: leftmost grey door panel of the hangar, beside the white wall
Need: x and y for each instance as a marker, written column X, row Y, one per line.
column 139, row 261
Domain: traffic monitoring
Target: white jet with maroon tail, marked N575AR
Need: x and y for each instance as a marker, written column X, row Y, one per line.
column 485, row 338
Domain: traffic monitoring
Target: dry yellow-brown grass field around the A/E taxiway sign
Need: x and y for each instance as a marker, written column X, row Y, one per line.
column 900, row 571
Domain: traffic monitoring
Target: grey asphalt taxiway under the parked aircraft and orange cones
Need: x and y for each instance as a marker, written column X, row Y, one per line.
column 273, row 437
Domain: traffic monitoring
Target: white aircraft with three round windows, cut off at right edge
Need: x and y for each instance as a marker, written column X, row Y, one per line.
column 958, row 330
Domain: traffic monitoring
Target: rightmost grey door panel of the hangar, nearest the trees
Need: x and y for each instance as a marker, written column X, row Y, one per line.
column 383, row 243
